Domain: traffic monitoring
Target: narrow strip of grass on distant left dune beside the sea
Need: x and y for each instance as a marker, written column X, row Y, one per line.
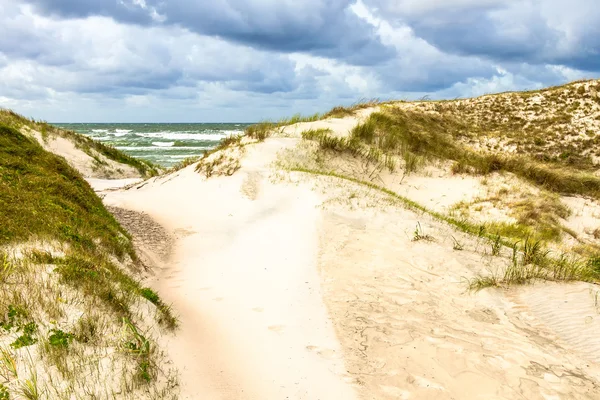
column 86, row 144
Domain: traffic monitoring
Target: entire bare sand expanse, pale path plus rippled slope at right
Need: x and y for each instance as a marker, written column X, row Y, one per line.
column 302, row 287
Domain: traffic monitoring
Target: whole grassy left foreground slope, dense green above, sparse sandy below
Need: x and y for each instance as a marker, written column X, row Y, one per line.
column 71, row 266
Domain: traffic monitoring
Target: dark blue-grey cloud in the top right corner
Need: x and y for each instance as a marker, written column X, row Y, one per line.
column 531, row 31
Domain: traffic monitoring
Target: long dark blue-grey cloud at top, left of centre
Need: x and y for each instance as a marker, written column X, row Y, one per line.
column 318, row 27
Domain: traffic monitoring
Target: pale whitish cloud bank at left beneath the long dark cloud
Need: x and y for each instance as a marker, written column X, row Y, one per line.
column 99, row 55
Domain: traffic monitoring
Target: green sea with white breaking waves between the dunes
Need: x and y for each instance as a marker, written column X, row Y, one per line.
column 162, row 144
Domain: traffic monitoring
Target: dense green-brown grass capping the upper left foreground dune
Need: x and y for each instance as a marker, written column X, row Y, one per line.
column 42, row 197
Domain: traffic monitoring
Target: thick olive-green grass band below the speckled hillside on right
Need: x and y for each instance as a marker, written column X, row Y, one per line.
column 432, row 136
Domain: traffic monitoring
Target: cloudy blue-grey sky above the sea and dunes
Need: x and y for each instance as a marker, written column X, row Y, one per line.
column 249, row 60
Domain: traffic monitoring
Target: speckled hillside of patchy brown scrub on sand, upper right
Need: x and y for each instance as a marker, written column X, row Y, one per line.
column 556, row 125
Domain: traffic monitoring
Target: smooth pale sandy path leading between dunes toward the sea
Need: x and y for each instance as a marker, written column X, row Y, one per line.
column 244, row 279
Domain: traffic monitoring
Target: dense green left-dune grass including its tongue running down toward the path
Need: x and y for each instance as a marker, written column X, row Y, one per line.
column 43, row 198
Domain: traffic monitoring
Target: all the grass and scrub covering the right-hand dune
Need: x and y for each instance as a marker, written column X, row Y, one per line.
column 460, row 132
